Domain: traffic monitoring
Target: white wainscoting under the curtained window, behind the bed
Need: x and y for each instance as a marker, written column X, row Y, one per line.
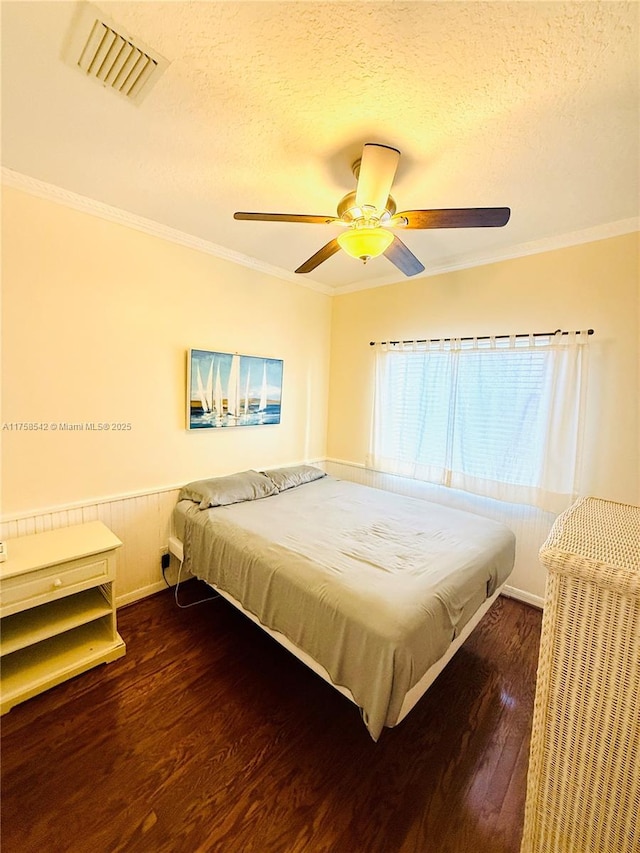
column 530, row 525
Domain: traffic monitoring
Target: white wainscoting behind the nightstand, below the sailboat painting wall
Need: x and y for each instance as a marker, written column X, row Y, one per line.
column 141, row 521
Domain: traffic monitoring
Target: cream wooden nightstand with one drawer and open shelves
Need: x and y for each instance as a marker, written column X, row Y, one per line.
column 57, row 608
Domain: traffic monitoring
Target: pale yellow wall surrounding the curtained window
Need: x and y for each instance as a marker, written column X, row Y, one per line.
column 595, row 285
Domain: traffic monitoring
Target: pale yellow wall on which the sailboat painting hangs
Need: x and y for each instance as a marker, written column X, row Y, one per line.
column 96, row 322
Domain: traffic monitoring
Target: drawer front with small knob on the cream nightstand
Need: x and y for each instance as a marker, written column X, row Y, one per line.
column 29, row 590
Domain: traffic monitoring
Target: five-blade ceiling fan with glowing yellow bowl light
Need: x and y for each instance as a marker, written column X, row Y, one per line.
column 368, row 212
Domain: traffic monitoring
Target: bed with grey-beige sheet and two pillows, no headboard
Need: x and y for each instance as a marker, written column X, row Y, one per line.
column 374, row 591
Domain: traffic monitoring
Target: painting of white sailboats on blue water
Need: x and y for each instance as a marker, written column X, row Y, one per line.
column 226, row 389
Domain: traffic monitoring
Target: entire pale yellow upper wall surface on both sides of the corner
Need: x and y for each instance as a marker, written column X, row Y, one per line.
column 97, row 319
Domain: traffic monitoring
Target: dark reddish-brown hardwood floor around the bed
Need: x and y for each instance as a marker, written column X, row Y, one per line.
column 207, row 736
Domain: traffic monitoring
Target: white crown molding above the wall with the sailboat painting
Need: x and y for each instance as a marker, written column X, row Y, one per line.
column 84, row 204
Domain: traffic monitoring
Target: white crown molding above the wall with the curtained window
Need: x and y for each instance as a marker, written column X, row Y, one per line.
column 535, row 247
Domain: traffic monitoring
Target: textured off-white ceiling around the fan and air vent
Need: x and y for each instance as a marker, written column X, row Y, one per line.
column 265, row 105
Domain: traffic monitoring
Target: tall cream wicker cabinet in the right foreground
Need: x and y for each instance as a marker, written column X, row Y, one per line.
column 583, row 787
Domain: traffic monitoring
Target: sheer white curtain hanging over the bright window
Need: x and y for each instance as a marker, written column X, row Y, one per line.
column 497, row 417
